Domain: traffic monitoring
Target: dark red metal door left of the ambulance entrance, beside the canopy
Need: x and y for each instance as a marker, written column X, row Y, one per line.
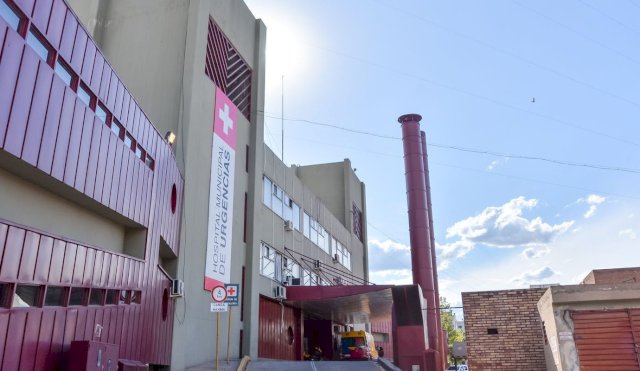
column 280, row 333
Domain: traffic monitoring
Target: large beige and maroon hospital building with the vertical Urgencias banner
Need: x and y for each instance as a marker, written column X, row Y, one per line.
column 146, row 68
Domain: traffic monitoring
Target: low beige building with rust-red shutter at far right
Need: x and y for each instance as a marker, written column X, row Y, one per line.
column 591, row 326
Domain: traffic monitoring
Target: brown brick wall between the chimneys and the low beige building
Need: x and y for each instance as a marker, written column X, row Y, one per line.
column 519, row 342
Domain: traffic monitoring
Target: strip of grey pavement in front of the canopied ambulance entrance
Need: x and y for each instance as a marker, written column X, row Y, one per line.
column 270, row 365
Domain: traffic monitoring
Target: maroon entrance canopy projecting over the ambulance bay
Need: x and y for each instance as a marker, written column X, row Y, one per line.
column 343, row 304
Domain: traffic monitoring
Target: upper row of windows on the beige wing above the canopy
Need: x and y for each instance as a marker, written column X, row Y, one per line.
column 280, row 203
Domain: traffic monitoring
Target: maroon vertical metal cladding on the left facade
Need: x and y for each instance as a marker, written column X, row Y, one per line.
column 56, row 137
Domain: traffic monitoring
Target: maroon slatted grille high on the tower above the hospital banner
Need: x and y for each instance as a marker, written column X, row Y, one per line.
column 226, row 68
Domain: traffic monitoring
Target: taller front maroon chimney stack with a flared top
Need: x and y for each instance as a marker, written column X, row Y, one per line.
column 419, row 235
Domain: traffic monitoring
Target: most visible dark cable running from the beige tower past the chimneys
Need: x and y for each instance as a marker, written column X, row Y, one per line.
column 466, row 149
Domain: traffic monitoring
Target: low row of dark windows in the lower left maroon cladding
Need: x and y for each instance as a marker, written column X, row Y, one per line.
column 34, row 296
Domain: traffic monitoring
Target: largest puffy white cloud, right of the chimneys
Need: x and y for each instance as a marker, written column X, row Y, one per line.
column 504, row 226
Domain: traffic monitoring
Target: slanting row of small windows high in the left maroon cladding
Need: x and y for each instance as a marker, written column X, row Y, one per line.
column 37, row 42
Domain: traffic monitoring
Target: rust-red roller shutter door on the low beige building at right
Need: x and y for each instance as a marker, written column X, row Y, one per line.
column 608, row 340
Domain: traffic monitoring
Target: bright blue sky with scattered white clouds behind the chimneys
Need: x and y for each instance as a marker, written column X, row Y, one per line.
column 472, row 69
